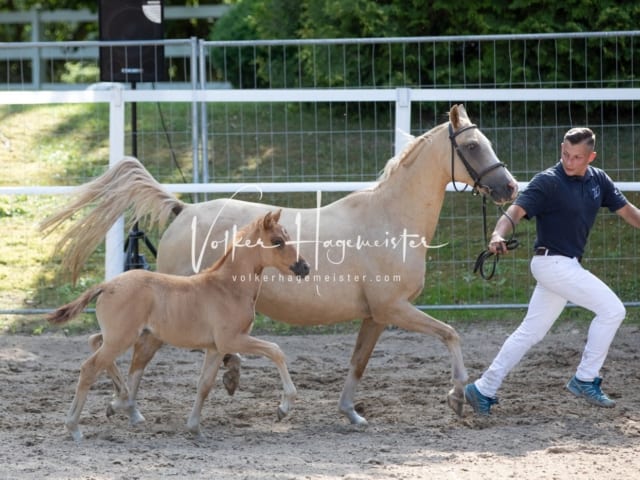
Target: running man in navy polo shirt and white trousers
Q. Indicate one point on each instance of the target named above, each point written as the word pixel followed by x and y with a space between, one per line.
pixel 564 200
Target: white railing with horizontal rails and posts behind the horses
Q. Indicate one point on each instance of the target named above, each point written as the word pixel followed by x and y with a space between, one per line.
pixel 117 97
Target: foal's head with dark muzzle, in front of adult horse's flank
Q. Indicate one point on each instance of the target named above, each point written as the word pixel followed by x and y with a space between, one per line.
pixel 278 251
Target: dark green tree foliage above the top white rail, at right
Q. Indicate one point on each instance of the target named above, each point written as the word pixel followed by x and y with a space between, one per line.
pixel 571 64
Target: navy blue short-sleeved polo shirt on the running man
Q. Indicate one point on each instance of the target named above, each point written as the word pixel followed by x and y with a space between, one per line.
pixel 565 207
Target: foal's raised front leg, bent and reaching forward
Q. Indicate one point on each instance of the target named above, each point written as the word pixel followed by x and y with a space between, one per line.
pixel 246 344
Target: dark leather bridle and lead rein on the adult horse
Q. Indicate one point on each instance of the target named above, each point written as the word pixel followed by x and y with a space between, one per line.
pixel 512 242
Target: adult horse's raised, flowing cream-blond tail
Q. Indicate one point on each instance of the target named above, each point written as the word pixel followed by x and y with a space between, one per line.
pixel 127 185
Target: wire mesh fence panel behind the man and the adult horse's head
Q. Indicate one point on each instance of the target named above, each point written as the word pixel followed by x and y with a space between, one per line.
pixel 273 140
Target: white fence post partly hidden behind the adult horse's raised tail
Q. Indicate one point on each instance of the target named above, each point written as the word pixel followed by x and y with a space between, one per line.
pixel 114 242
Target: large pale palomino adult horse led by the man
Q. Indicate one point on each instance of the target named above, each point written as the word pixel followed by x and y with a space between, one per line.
pixel 368 248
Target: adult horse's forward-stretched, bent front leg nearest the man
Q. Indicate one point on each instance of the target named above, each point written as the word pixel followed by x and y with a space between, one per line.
pixel 408 317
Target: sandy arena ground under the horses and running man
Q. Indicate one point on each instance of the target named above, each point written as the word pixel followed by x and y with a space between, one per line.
pixel 539 431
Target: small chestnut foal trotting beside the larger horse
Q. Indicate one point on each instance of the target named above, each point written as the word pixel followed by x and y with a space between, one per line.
pixel 213 310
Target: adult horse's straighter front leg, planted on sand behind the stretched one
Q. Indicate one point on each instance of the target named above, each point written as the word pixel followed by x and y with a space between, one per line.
pixel 367 338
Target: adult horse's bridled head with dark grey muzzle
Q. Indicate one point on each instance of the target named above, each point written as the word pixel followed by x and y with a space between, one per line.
pixel 474 162
